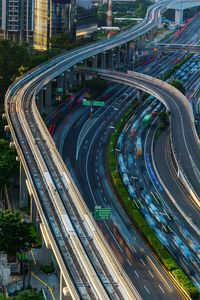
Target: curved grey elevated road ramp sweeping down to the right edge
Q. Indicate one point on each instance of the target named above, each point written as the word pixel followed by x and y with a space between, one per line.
pixel 184 138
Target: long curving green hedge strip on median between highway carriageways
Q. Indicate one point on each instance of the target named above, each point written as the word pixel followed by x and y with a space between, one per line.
pixel 137 218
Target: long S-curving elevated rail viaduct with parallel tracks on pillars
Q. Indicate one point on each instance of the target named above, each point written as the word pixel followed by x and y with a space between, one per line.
pixel 89 270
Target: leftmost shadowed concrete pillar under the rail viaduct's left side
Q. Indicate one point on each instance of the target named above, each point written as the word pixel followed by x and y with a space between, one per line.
pixel 23 191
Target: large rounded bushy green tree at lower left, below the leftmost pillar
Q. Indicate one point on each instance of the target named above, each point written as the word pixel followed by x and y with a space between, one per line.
pixel 15 235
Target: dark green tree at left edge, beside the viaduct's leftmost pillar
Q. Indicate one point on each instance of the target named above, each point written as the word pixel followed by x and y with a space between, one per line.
pixel 8 163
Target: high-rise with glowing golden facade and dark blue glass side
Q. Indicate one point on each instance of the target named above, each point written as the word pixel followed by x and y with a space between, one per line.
pixel 53 17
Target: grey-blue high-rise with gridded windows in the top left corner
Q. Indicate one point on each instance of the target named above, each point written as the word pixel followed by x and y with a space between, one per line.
pixel 16 20
